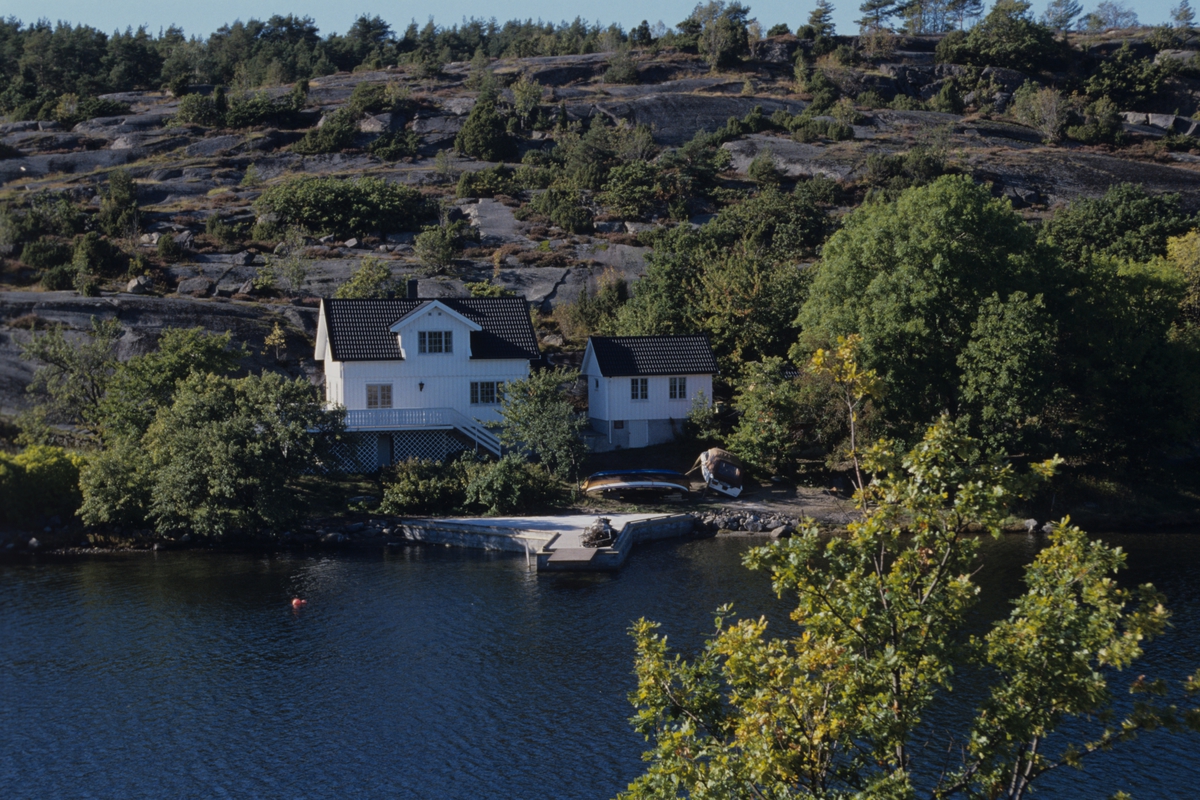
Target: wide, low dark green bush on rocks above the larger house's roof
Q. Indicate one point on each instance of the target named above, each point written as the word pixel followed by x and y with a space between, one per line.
pixel 333 206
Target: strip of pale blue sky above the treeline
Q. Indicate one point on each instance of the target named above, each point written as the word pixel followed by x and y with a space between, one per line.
pixel 337 17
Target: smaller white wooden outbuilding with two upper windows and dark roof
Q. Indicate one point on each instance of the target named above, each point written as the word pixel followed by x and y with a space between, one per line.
pixel 641 388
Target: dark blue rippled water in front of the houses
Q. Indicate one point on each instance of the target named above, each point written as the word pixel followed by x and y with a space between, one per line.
pixel 419 673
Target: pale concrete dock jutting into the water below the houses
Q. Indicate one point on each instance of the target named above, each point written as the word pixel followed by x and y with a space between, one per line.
pixel 557 543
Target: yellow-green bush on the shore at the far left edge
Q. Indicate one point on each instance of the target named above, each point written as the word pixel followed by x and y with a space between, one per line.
pixel 40 483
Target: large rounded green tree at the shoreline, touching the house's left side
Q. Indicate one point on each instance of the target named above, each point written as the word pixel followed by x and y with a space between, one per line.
pixel 227 454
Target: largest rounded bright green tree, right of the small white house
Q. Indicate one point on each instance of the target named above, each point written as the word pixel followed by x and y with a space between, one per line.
pixel 910 278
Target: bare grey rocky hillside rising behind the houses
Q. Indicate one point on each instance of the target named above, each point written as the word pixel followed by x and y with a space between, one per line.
pixel 195 182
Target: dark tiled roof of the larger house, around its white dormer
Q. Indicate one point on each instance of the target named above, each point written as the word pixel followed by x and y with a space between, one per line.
pixel 358 329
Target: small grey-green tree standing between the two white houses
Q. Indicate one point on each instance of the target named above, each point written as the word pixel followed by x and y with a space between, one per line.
pixel 538 418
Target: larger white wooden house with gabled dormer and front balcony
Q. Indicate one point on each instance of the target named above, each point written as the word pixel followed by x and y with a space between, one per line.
pixel 421 377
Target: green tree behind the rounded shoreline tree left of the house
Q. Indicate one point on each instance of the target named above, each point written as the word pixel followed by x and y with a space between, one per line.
pixel 146 384
